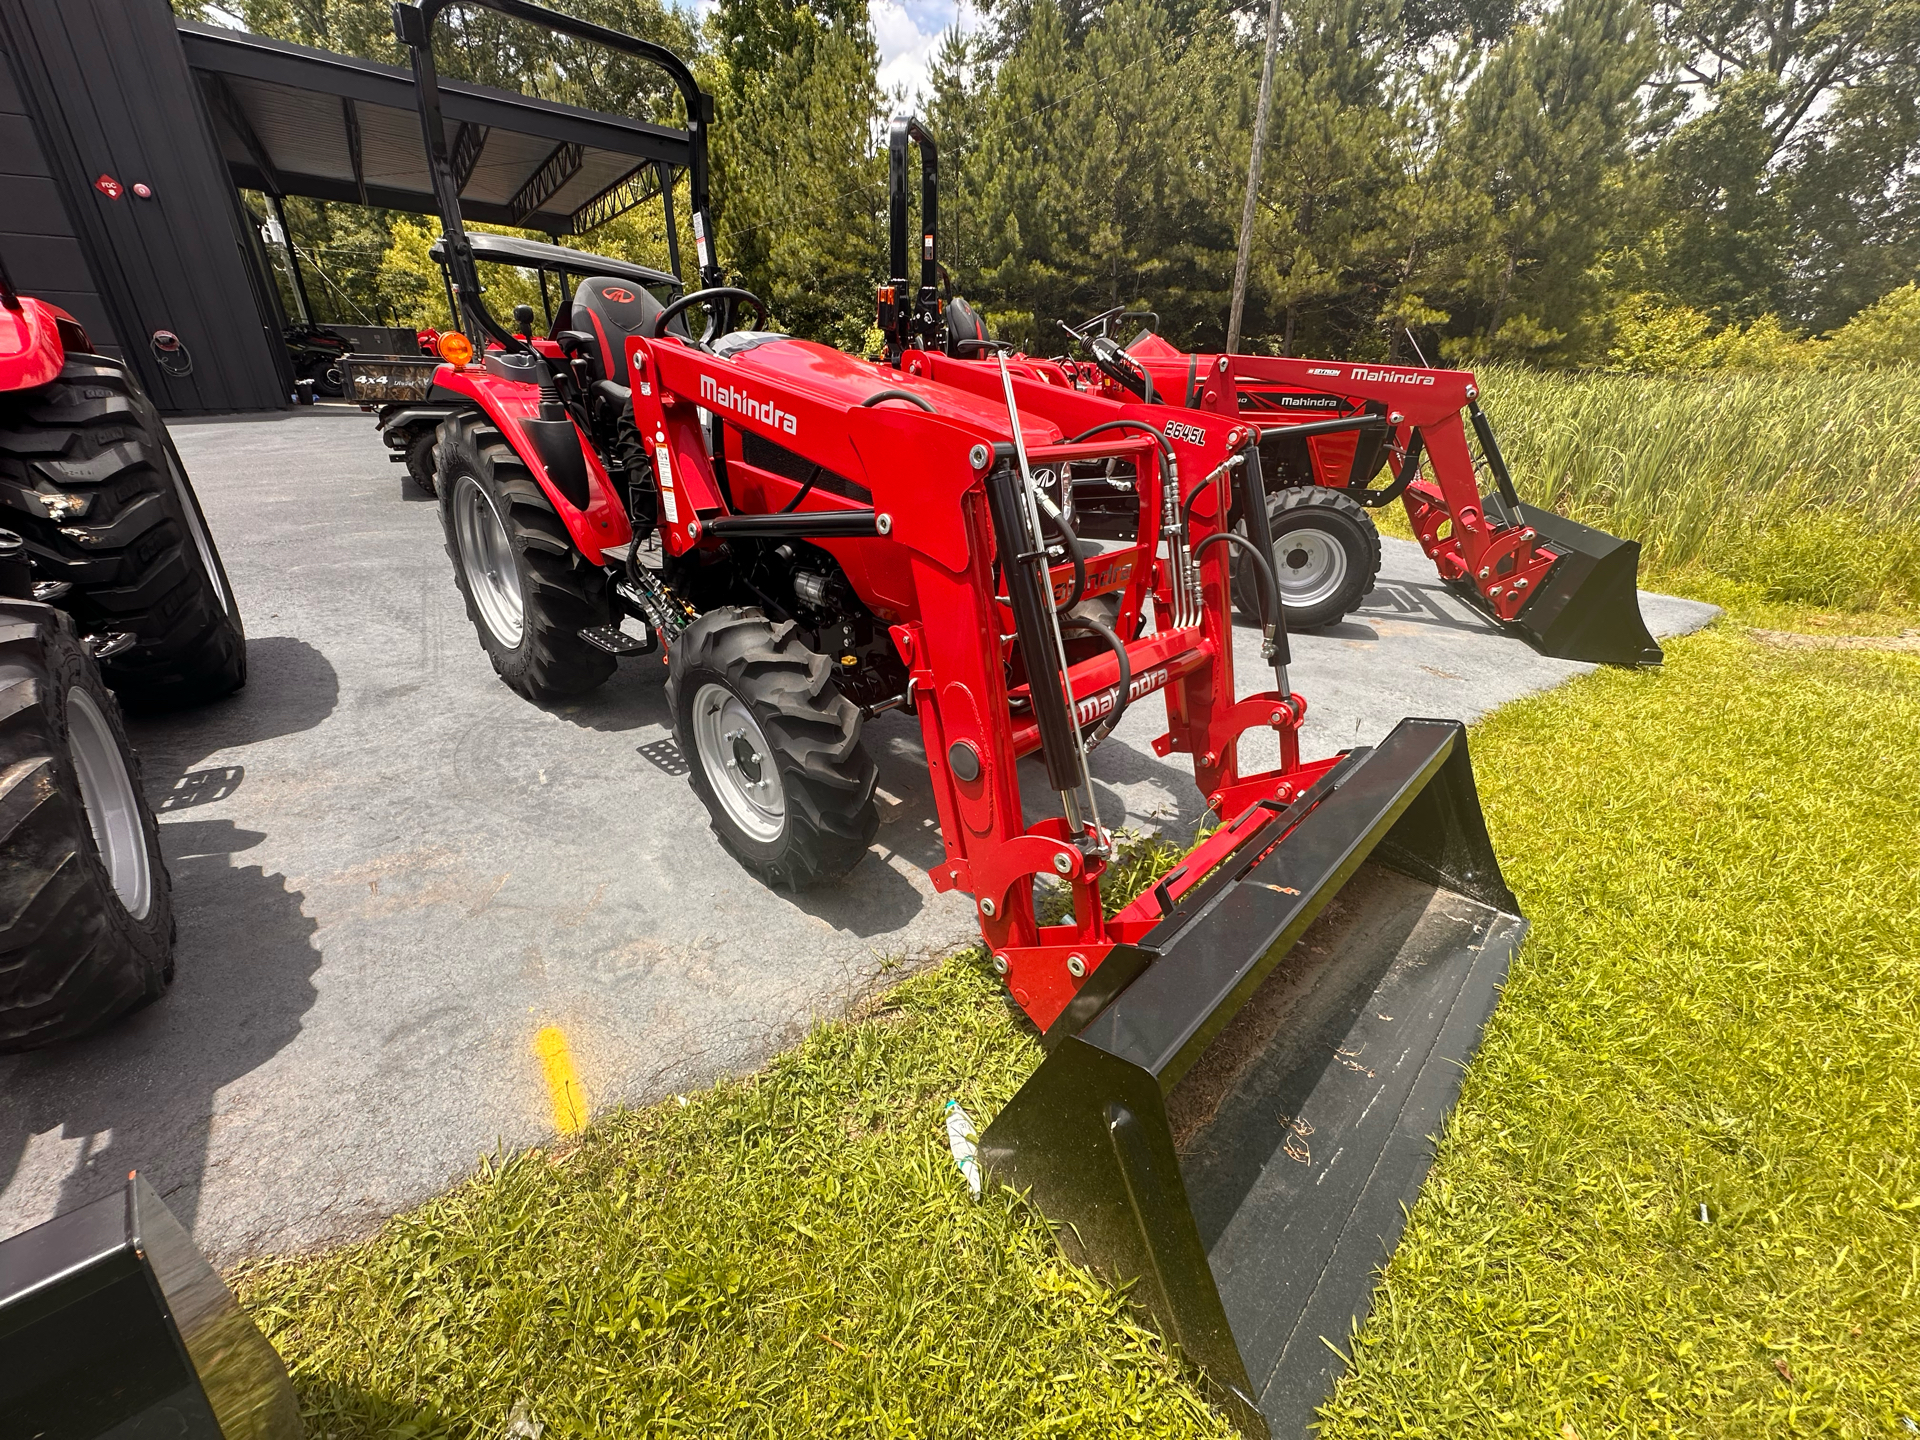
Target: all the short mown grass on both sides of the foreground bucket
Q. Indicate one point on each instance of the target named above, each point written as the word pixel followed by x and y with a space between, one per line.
pixel 1719 1005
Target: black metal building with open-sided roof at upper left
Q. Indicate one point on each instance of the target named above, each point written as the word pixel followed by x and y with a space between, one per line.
pixel 126 139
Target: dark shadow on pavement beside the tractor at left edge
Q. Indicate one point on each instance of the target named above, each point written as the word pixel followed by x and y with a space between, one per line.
pixel 143 1093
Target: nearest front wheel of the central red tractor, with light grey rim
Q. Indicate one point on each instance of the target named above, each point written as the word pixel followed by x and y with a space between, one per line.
pixel 813 746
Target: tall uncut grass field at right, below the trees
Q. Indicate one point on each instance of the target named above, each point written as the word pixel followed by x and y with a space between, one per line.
pixel 1804 487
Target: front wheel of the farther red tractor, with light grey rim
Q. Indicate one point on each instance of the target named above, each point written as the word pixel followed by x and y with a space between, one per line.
pixel 1326 556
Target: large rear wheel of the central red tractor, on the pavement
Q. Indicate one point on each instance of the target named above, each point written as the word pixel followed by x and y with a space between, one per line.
pixel 560 594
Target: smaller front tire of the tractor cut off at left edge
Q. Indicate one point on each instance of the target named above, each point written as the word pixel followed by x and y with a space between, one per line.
pixel 74 953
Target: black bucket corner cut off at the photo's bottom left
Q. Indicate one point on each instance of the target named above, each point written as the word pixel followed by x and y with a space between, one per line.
pixel 112 1324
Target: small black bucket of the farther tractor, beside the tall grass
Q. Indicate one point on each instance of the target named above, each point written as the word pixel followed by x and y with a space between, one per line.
pixel 1589 604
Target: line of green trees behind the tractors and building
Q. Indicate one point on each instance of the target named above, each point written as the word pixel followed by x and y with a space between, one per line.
pixel 1558 183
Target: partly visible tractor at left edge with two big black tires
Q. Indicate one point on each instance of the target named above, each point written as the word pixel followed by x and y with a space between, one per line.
pixel 110 594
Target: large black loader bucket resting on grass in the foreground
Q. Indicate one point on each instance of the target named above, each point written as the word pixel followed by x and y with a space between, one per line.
pixel 1236 1130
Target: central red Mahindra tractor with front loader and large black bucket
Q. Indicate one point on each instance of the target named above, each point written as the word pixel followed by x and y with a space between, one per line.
pixel 1007 564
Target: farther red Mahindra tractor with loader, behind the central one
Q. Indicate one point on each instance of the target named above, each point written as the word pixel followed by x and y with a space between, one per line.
pixel 1328 431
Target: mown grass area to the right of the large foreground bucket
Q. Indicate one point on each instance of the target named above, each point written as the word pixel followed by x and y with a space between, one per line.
pixel 1719 1007
